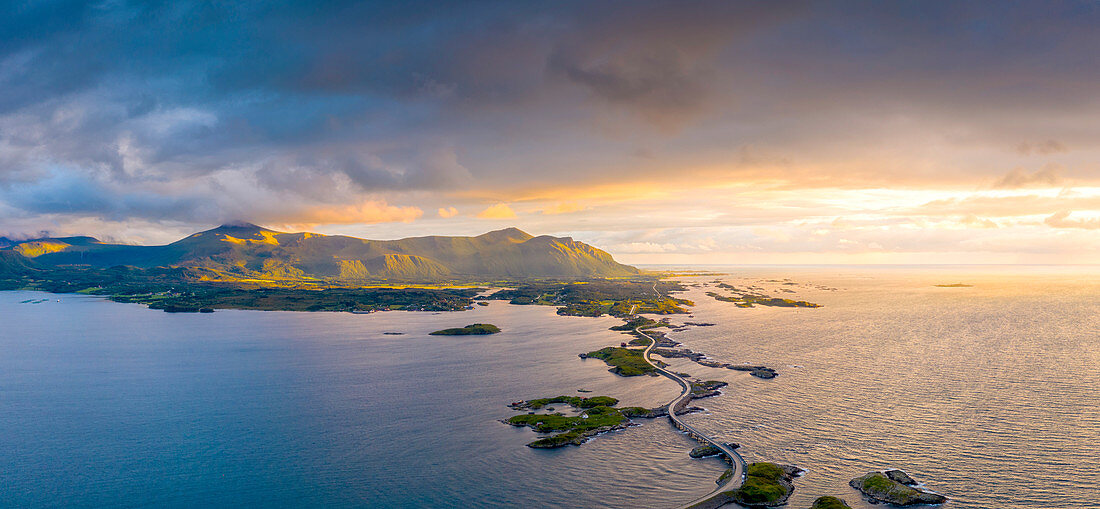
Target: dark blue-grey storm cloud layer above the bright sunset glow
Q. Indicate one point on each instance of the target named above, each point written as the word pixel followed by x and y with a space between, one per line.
pixel 146 99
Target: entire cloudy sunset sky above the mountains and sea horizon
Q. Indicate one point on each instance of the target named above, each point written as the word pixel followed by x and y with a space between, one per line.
pixel 711 132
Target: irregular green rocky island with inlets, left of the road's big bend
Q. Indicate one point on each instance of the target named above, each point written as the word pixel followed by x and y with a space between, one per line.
pixel 597 415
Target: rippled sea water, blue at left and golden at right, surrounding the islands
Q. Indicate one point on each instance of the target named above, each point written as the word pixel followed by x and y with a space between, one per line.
pixel 987 394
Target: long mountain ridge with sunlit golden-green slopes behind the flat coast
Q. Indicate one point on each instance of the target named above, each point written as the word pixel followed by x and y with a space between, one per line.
pixel 255 251
